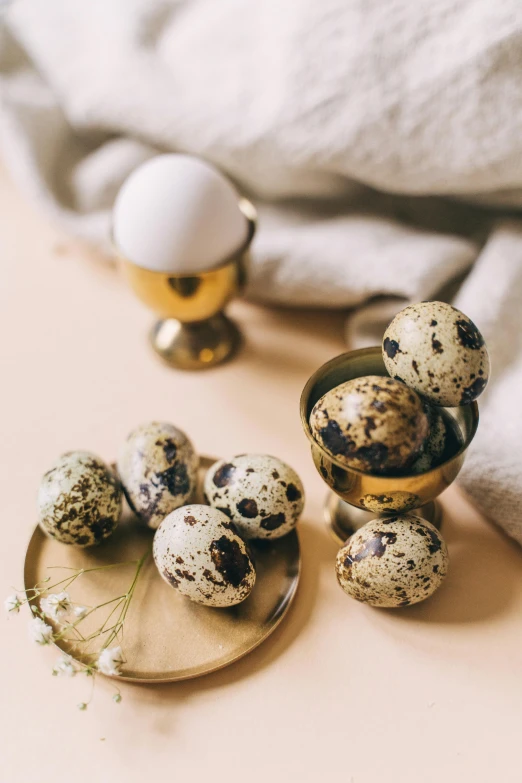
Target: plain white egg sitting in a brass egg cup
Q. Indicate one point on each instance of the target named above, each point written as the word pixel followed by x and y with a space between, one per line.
pixel 178 214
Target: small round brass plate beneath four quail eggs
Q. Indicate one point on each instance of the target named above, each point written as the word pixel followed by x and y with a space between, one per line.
pixel 167 637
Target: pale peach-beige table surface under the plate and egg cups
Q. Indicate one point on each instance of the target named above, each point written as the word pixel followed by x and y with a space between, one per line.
pixel 340 691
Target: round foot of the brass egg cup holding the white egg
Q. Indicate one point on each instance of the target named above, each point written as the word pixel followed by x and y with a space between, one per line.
pixel 198 345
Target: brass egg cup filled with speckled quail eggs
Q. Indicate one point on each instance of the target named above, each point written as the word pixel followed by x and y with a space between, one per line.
pixel 357 497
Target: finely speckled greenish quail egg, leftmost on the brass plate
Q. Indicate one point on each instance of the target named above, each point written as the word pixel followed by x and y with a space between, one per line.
pixel 79 500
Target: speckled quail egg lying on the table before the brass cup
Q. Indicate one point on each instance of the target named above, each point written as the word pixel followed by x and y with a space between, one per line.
pixel 393 561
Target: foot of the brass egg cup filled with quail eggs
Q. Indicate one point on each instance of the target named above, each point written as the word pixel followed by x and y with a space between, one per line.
pixel 343 519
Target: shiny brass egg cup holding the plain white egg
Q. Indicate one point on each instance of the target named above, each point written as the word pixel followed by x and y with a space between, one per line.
pixel 193 332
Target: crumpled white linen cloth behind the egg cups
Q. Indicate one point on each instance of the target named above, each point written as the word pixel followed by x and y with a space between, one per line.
pixel 380 140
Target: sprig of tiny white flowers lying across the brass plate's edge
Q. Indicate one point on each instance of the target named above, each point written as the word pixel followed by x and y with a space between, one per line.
pixel 57 619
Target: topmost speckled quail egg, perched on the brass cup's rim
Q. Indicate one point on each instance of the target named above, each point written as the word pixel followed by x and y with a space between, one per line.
pixel 438 351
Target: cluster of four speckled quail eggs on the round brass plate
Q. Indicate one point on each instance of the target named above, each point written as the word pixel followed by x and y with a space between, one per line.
pixel 200 550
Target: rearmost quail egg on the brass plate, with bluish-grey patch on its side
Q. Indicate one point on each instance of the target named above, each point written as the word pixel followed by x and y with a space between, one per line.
pixel 158 469
